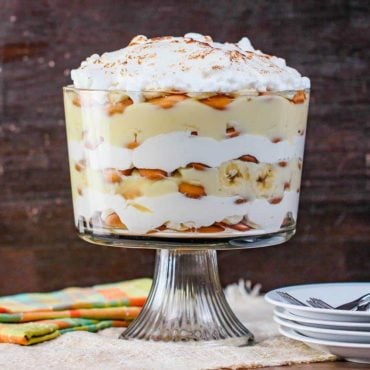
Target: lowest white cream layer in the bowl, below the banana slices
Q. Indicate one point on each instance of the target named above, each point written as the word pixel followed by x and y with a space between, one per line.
pixel 147 213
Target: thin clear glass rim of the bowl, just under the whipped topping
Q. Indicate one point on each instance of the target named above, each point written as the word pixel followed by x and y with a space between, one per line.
pixel 246 92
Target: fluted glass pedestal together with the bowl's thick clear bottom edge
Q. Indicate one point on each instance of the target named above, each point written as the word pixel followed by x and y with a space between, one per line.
pixel 186 302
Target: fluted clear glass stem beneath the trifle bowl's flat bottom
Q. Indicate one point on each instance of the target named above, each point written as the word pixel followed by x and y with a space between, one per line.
pixel 186 301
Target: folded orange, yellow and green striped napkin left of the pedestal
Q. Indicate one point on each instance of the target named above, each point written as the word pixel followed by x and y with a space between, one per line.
pixel 31 318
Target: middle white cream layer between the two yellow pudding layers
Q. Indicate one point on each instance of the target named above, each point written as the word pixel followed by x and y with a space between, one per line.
pixel 174 150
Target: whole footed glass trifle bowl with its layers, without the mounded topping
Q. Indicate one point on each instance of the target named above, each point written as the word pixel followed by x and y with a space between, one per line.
pixel 187 173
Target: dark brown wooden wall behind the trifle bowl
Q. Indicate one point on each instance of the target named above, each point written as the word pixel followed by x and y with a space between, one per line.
pixel 40 41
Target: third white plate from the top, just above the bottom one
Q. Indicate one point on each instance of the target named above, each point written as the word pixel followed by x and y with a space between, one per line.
pixel 326 334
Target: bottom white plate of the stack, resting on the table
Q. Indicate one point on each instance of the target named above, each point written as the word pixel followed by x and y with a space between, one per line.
pixel 350 351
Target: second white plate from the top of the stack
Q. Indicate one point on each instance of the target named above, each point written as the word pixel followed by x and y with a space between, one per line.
pixel 326 324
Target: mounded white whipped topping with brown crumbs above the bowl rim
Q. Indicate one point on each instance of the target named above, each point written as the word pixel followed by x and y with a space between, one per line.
pixel 193 63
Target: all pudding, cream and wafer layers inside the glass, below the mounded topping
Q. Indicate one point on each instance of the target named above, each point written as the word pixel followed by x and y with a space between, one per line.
pixel 184 165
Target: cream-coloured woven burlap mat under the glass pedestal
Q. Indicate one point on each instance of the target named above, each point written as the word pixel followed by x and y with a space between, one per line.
pixel 83 350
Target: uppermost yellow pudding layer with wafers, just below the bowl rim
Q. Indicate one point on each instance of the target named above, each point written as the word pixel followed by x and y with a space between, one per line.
pixel 124 124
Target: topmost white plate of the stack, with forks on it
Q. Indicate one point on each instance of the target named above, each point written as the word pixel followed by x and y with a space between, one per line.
pixel 334 294
